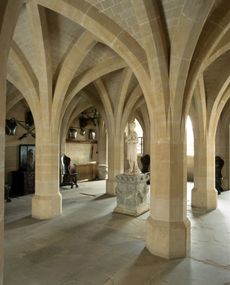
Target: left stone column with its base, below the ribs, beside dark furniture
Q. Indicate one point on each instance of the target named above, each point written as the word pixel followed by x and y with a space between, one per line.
pixel 47 202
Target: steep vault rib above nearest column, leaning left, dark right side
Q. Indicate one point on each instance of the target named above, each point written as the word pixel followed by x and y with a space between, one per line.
pixel 155 41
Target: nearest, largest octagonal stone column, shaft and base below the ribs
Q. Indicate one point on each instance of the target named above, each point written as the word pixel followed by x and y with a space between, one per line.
pixel 168 229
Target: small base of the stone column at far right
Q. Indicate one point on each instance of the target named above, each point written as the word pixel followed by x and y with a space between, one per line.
pixel 206 200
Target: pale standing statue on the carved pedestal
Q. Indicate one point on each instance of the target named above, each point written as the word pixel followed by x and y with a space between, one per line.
pixel 132 141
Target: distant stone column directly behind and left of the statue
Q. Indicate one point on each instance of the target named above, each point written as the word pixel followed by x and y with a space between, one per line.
pixel 115 161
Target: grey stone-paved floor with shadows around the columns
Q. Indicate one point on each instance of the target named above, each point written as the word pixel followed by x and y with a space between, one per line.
pixel 91 245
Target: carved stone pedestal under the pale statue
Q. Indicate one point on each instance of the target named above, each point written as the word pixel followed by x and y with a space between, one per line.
pixel 131 193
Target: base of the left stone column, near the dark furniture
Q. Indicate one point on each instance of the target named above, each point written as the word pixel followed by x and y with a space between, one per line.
pixel 46 207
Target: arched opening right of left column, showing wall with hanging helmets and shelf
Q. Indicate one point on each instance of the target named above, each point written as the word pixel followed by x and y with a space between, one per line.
pixel 80 143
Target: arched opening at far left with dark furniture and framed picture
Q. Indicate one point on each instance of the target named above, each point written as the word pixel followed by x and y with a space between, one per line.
pixel 19 150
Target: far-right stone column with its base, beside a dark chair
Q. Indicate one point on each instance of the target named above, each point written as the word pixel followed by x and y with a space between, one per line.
pixel 204 194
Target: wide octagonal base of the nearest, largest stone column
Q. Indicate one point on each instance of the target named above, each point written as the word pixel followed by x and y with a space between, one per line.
pixel 168 239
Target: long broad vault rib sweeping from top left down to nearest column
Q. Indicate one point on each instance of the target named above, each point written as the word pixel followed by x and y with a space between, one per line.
pixel 107 32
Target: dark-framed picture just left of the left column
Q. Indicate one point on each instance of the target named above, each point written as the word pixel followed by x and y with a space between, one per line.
pixel 27 157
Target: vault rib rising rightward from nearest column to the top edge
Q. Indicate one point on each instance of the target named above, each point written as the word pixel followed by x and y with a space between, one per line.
pixel 189 29
